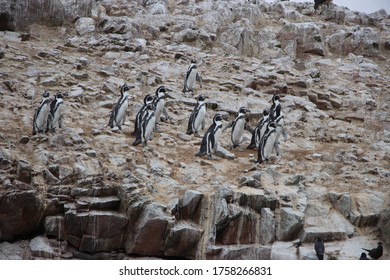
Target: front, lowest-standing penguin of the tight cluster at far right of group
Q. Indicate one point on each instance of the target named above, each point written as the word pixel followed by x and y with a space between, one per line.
pixel 268 141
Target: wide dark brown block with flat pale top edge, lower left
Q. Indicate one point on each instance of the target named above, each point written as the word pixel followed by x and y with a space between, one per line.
pixel 88 230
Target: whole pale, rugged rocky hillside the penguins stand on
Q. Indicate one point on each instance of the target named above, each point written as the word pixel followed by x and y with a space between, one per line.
pixel 86 192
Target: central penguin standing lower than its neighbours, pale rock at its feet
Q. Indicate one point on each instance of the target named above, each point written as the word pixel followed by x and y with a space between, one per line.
pixel 210 139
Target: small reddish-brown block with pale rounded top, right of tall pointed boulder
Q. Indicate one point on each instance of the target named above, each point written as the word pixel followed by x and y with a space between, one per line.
pixel 182 239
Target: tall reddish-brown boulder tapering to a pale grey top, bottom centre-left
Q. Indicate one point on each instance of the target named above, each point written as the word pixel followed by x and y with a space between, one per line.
pixel 148 233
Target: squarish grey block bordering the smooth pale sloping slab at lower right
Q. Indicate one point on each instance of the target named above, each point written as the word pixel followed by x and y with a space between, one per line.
pixel 290 224
